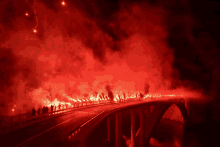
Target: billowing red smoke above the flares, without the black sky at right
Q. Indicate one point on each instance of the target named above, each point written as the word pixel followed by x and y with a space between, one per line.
pixel 75 53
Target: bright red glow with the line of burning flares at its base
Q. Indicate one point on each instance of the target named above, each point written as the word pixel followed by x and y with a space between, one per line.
pixel 75 74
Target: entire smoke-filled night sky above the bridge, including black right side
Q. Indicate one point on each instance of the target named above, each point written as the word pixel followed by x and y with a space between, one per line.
pixel 83 46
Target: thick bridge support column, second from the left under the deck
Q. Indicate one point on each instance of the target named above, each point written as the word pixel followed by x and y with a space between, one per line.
pixel 118 129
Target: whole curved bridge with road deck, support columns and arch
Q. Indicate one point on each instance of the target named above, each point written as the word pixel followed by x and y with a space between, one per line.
pixel 75 127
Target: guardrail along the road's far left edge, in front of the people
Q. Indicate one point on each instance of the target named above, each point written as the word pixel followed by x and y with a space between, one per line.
pixel 20 120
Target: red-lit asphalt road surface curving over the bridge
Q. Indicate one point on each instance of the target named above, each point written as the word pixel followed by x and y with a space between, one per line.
pixel 51 132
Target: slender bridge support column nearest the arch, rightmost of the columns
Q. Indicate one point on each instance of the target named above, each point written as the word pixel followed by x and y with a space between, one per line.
pixel 142 129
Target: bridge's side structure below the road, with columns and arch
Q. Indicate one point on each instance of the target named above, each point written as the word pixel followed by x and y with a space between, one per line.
pixel 149 114
